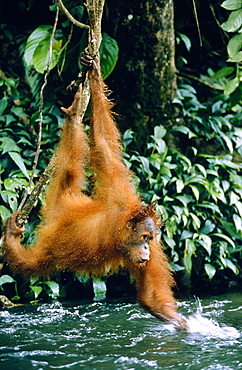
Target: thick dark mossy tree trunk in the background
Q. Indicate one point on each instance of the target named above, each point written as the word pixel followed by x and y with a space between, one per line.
pixel 144 80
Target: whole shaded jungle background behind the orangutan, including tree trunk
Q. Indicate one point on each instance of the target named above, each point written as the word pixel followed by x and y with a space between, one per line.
pixel 176 84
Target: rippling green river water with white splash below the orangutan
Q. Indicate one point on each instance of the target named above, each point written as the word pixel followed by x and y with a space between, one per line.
pixel 102 335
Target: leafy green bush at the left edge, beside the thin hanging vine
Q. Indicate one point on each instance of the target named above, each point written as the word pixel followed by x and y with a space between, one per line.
pixel 18 136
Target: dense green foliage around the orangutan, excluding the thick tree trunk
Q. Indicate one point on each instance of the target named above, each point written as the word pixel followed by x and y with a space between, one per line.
pixel 192 171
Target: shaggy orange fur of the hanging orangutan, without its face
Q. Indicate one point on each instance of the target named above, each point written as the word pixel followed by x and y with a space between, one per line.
pixel 95 234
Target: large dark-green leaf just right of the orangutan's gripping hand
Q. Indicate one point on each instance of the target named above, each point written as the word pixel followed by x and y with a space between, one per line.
pixel 108 55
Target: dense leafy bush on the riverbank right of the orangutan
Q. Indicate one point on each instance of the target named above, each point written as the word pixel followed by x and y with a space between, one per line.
pixel 199 194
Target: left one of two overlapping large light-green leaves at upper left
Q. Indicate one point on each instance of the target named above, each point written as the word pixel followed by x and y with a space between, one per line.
pixel 38 35
